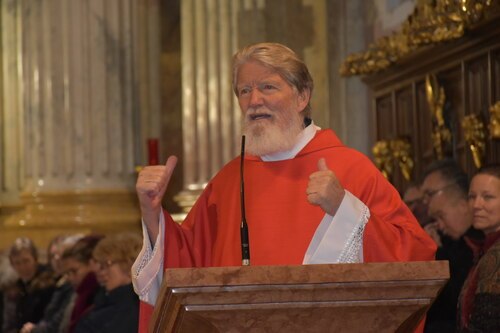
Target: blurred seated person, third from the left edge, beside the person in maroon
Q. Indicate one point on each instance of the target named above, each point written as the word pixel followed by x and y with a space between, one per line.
pixel 63 292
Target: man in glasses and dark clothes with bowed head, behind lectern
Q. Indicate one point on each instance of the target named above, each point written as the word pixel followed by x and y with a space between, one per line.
pixel 445 188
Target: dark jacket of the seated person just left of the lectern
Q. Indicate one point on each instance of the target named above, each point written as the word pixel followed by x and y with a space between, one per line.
pixel 117 312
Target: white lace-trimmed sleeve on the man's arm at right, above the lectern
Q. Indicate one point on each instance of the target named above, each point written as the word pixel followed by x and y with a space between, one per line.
pixel 339 238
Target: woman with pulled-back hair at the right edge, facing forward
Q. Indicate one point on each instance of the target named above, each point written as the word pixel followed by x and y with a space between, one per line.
pixel 479 303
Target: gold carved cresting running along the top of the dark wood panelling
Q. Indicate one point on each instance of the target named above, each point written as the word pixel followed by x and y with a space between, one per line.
pixel 431 22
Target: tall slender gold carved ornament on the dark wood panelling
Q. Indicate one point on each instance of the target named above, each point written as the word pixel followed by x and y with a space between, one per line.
pixel 436 98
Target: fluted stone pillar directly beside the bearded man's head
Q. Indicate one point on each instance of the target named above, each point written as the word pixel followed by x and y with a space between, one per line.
pixel 211 116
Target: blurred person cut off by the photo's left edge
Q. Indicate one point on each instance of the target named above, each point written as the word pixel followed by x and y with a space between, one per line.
pixel 8 295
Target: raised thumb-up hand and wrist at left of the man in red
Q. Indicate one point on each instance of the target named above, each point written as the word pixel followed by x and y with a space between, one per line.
pixel 151 185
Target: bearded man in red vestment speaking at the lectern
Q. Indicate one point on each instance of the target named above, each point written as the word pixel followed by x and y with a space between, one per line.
pixel 309 198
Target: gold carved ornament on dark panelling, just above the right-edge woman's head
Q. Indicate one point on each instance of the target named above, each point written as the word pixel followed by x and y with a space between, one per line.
pixel 475 137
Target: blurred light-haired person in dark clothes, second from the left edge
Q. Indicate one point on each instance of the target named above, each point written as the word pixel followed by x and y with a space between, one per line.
pixel 36 282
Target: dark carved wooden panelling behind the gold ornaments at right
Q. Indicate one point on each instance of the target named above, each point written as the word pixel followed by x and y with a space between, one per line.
pixel 468 69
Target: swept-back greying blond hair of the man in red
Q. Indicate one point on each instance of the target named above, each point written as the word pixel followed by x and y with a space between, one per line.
pixel 281 59
